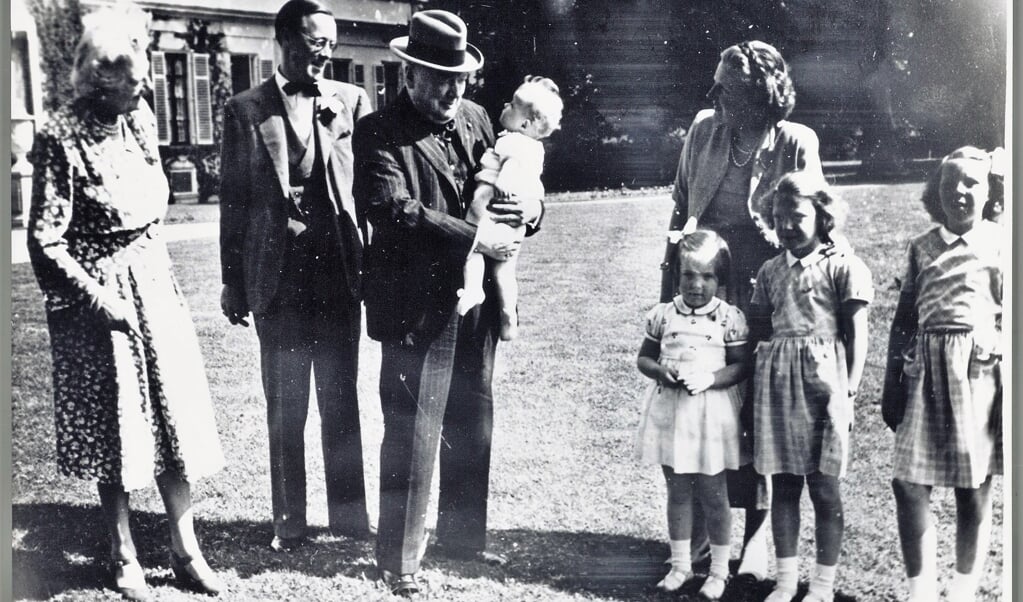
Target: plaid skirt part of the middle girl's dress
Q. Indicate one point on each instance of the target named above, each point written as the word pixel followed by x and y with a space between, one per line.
pixel 803 413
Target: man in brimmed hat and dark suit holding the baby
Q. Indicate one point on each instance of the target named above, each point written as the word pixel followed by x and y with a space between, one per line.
pixel 415 163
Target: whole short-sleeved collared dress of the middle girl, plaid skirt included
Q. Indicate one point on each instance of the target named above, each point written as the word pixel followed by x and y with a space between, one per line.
pixel 803 413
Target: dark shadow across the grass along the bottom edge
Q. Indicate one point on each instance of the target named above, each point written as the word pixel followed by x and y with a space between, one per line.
pixel 61 548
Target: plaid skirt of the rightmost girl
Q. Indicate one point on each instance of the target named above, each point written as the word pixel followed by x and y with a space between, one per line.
pixel 951 436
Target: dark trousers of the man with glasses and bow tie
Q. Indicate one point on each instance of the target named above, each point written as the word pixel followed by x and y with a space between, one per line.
pixel 308 328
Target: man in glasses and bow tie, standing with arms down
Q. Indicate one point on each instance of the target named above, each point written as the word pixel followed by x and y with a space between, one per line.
pixel 291 255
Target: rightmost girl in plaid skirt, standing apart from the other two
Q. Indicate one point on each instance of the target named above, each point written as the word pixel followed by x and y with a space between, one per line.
pixel 943 389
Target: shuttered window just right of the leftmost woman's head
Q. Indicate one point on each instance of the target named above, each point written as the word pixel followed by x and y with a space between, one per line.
pixel 182 98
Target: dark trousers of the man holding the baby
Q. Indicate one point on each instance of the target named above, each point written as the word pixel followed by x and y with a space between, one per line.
pixel 436 394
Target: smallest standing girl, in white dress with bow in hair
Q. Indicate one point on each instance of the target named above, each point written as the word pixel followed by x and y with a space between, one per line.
pixel 696 353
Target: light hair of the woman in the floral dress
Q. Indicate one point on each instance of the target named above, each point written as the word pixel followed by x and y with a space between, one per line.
pixel 112 50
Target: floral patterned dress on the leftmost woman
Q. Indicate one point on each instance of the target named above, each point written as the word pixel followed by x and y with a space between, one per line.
pixel 127 406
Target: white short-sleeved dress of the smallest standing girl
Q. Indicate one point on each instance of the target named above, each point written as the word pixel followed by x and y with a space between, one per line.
pixel 693 435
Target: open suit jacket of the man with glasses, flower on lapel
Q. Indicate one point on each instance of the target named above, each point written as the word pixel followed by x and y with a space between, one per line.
pixel 254 193
